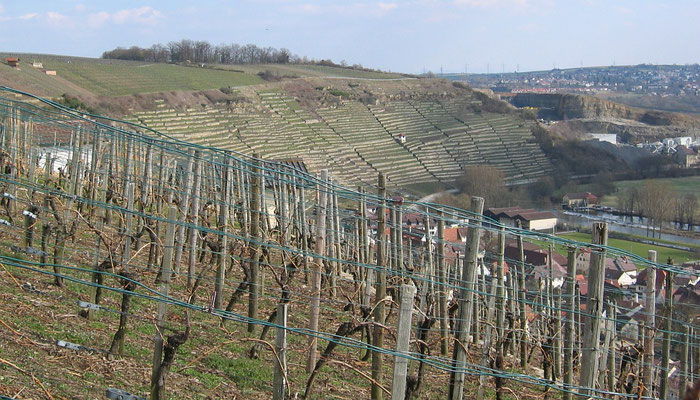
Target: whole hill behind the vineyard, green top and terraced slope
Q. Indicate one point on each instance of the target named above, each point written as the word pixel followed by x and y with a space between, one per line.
pixel 351 122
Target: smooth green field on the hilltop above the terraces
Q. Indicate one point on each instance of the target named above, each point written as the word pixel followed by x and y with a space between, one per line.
pixel 119 78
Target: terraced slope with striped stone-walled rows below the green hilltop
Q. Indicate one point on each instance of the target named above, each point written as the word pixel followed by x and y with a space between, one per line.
pixel 342 131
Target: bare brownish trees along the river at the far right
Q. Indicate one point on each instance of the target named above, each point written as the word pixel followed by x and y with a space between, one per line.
pixel 659 203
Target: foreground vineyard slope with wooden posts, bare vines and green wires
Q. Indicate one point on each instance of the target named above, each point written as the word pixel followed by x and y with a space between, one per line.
pixel 139 265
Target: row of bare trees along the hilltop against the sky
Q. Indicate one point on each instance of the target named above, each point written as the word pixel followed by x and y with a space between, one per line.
pixel 201 51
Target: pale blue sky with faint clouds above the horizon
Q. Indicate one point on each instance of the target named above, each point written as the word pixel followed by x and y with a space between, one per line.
pixel 407 36
